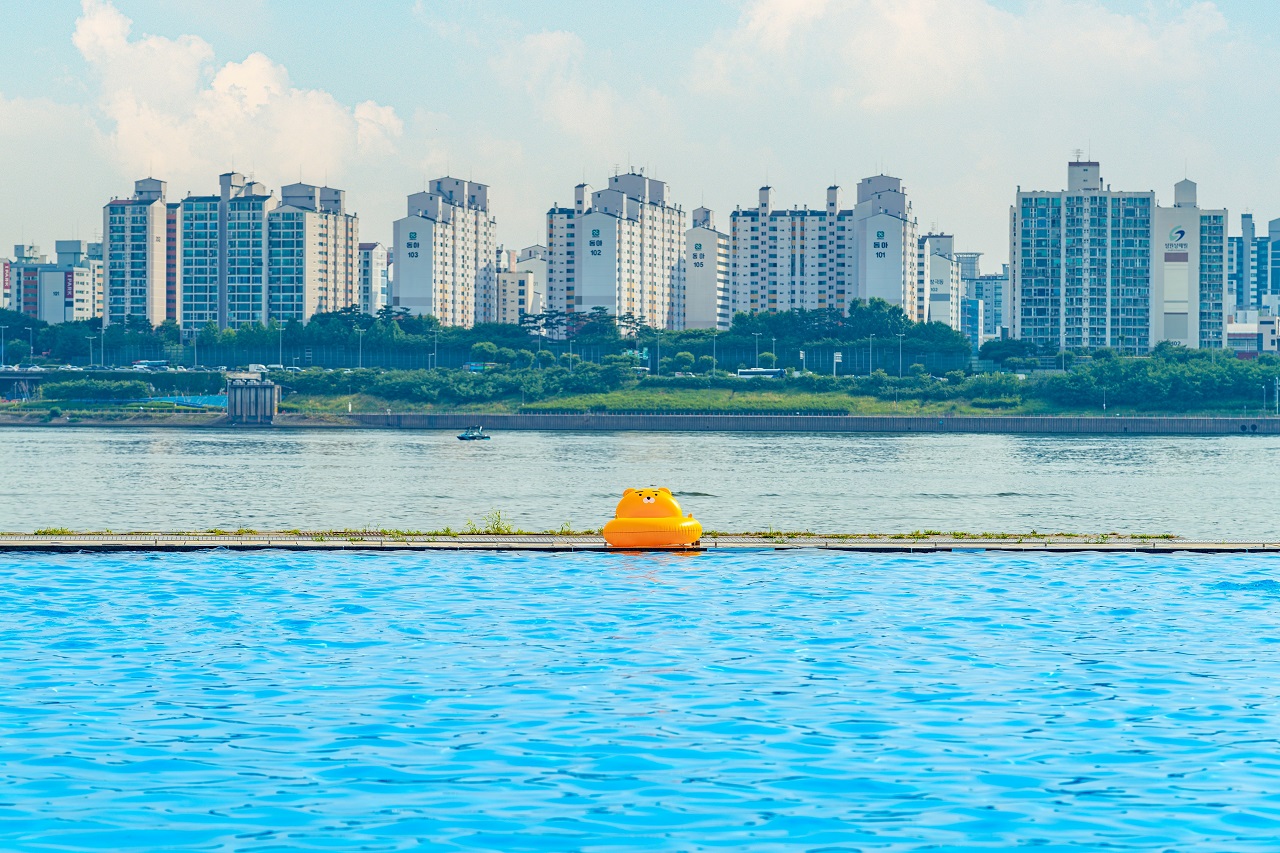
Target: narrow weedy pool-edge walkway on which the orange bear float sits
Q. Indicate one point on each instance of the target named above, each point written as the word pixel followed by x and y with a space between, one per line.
pixel 383 541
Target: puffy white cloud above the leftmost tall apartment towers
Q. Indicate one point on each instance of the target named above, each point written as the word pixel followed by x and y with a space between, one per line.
pixel 172 112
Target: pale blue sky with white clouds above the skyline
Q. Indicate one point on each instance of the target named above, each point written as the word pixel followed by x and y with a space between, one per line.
pixel 963 99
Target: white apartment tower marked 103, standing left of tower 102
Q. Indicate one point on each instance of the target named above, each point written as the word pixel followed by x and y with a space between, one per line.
pixel 445 254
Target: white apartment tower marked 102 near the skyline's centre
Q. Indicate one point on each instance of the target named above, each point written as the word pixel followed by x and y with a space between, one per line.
pixel 620 249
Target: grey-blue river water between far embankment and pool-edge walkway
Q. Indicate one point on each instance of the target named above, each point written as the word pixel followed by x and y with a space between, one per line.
pixel 171 480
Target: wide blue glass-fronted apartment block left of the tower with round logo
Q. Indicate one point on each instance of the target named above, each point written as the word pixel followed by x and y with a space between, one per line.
pixel 1081 264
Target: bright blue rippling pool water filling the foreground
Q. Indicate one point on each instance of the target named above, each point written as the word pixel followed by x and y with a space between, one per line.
pixel 765 701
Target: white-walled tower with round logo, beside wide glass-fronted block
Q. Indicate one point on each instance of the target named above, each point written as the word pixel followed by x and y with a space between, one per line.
pixel 1188 272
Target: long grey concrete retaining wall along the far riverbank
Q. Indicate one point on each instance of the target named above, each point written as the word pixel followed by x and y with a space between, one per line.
pixel 838 425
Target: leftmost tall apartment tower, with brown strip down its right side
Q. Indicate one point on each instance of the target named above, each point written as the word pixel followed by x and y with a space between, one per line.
pixel 140 253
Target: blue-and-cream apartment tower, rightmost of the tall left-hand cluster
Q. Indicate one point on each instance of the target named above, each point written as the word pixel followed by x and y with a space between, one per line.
pixel 313 264
